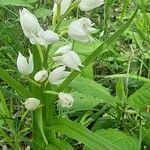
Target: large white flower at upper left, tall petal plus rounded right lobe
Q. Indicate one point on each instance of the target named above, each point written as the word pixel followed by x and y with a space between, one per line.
pixel 34 32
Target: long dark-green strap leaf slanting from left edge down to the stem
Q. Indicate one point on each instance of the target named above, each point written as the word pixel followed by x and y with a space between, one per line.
pixel 21 90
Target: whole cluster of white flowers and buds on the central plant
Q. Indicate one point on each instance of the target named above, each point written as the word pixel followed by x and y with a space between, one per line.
pixel 65 56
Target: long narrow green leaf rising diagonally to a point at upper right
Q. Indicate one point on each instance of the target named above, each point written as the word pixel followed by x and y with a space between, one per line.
pixel 105 45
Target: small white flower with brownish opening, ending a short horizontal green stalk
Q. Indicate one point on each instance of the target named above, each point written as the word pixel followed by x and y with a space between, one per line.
pixel 65 100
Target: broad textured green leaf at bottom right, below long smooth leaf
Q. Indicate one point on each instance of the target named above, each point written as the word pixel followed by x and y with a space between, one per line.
pixel 119 139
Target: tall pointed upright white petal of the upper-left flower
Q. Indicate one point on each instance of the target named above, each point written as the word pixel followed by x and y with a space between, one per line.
pixel 29 23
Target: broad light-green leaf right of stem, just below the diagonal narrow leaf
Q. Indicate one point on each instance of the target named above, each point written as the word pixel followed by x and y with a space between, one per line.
pixel 91 88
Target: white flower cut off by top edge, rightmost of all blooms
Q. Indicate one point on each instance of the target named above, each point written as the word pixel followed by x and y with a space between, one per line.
pixel 86 5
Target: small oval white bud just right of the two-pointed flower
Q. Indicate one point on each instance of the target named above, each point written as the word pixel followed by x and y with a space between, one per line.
pixel 41 76
